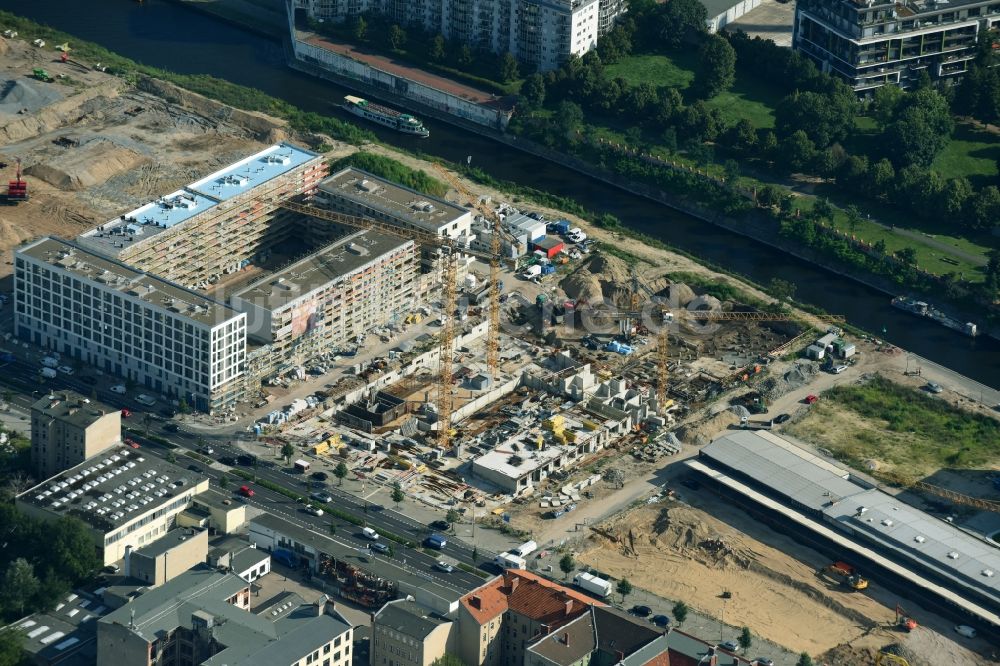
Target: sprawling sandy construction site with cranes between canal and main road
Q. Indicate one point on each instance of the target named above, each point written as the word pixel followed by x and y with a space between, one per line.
pixel 546 402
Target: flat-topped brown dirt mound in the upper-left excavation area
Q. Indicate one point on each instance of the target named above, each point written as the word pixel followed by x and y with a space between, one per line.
pixel 87 166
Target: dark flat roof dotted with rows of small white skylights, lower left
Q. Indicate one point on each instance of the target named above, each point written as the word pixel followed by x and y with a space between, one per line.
pixel 113 488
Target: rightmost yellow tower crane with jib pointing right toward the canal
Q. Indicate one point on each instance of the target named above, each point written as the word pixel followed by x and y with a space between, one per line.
pixel 668 315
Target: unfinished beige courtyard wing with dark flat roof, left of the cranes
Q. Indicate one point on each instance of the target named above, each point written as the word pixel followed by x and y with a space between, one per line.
pixel 331 296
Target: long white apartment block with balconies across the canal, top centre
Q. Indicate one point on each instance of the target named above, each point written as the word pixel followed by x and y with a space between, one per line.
pixel 542 34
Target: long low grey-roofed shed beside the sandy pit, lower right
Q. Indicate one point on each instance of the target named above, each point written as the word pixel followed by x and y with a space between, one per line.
pixel 939 559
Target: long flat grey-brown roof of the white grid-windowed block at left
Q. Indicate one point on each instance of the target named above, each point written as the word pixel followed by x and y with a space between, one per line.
pixel 115 276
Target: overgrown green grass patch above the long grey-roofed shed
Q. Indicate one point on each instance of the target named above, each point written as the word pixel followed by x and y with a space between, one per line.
pixel 905 431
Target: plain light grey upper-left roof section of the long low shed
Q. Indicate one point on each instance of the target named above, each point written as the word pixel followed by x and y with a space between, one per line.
pixel 783 467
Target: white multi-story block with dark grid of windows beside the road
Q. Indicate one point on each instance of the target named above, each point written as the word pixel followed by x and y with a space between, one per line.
pixel 129 323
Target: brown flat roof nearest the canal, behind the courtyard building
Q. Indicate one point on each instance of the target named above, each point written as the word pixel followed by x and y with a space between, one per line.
pixel 400 202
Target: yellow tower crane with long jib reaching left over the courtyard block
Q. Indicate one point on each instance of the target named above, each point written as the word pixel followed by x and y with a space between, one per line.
pixel 449 295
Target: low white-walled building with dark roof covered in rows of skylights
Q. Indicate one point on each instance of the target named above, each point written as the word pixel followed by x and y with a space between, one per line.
pixel 126 499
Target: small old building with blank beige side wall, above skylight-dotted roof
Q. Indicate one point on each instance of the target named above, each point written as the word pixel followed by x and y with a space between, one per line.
pixel 67 429
